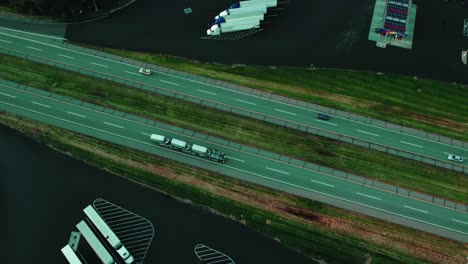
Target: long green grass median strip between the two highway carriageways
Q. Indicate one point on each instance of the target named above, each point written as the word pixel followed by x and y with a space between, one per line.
pixel 392 169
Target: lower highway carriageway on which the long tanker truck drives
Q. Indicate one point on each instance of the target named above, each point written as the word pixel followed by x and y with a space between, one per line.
pixel 245 165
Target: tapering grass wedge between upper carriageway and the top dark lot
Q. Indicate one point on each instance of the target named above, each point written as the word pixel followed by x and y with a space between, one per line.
pixel 423 104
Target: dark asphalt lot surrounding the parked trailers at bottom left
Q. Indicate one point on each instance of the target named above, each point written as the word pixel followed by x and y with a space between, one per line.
pixel 42 194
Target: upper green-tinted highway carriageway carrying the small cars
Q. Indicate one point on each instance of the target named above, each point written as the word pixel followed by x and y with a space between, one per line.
pixel 46 48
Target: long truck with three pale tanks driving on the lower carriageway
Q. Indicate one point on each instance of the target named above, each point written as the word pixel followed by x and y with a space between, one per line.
pixel 201 151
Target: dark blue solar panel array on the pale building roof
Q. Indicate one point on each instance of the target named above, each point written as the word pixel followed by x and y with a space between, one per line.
pixel 396 15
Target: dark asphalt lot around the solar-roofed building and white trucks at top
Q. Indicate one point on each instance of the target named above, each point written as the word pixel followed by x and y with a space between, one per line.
pixel 326 33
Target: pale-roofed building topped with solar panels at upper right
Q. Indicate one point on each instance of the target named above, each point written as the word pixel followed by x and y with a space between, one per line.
pixel 393 23
